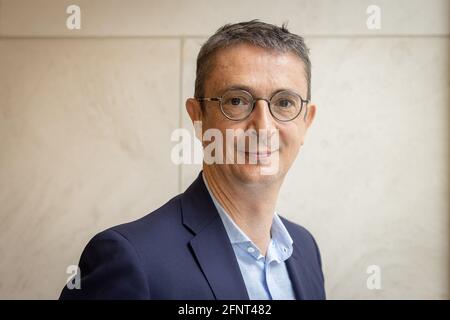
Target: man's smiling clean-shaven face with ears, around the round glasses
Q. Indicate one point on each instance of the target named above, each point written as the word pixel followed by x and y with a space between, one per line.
pixel 262 73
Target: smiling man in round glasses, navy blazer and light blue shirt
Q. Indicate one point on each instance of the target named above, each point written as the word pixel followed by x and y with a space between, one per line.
pixel 221 238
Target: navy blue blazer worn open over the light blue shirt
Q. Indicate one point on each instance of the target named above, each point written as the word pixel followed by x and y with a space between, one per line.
pixel 182 251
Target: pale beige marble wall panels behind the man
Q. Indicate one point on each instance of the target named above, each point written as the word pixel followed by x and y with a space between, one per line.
pixel 86 118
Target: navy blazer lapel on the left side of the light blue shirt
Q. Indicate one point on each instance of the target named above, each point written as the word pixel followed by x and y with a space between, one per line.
pixel 211 245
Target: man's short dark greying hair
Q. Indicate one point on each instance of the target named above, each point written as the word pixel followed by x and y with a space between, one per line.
pixel 252 32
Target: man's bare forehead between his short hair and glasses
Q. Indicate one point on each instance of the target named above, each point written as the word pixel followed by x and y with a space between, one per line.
pixel 263 70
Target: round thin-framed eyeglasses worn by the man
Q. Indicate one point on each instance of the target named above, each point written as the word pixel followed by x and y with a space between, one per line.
pixel 237 104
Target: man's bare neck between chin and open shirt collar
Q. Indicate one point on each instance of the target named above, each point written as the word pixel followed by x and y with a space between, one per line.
pixel 251 206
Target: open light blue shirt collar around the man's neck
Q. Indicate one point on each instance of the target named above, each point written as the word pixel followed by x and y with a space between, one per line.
pixel 280 247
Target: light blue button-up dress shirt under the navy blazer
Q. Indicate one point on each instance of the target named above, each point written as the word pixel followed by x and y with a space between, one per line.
pixel 265 277
